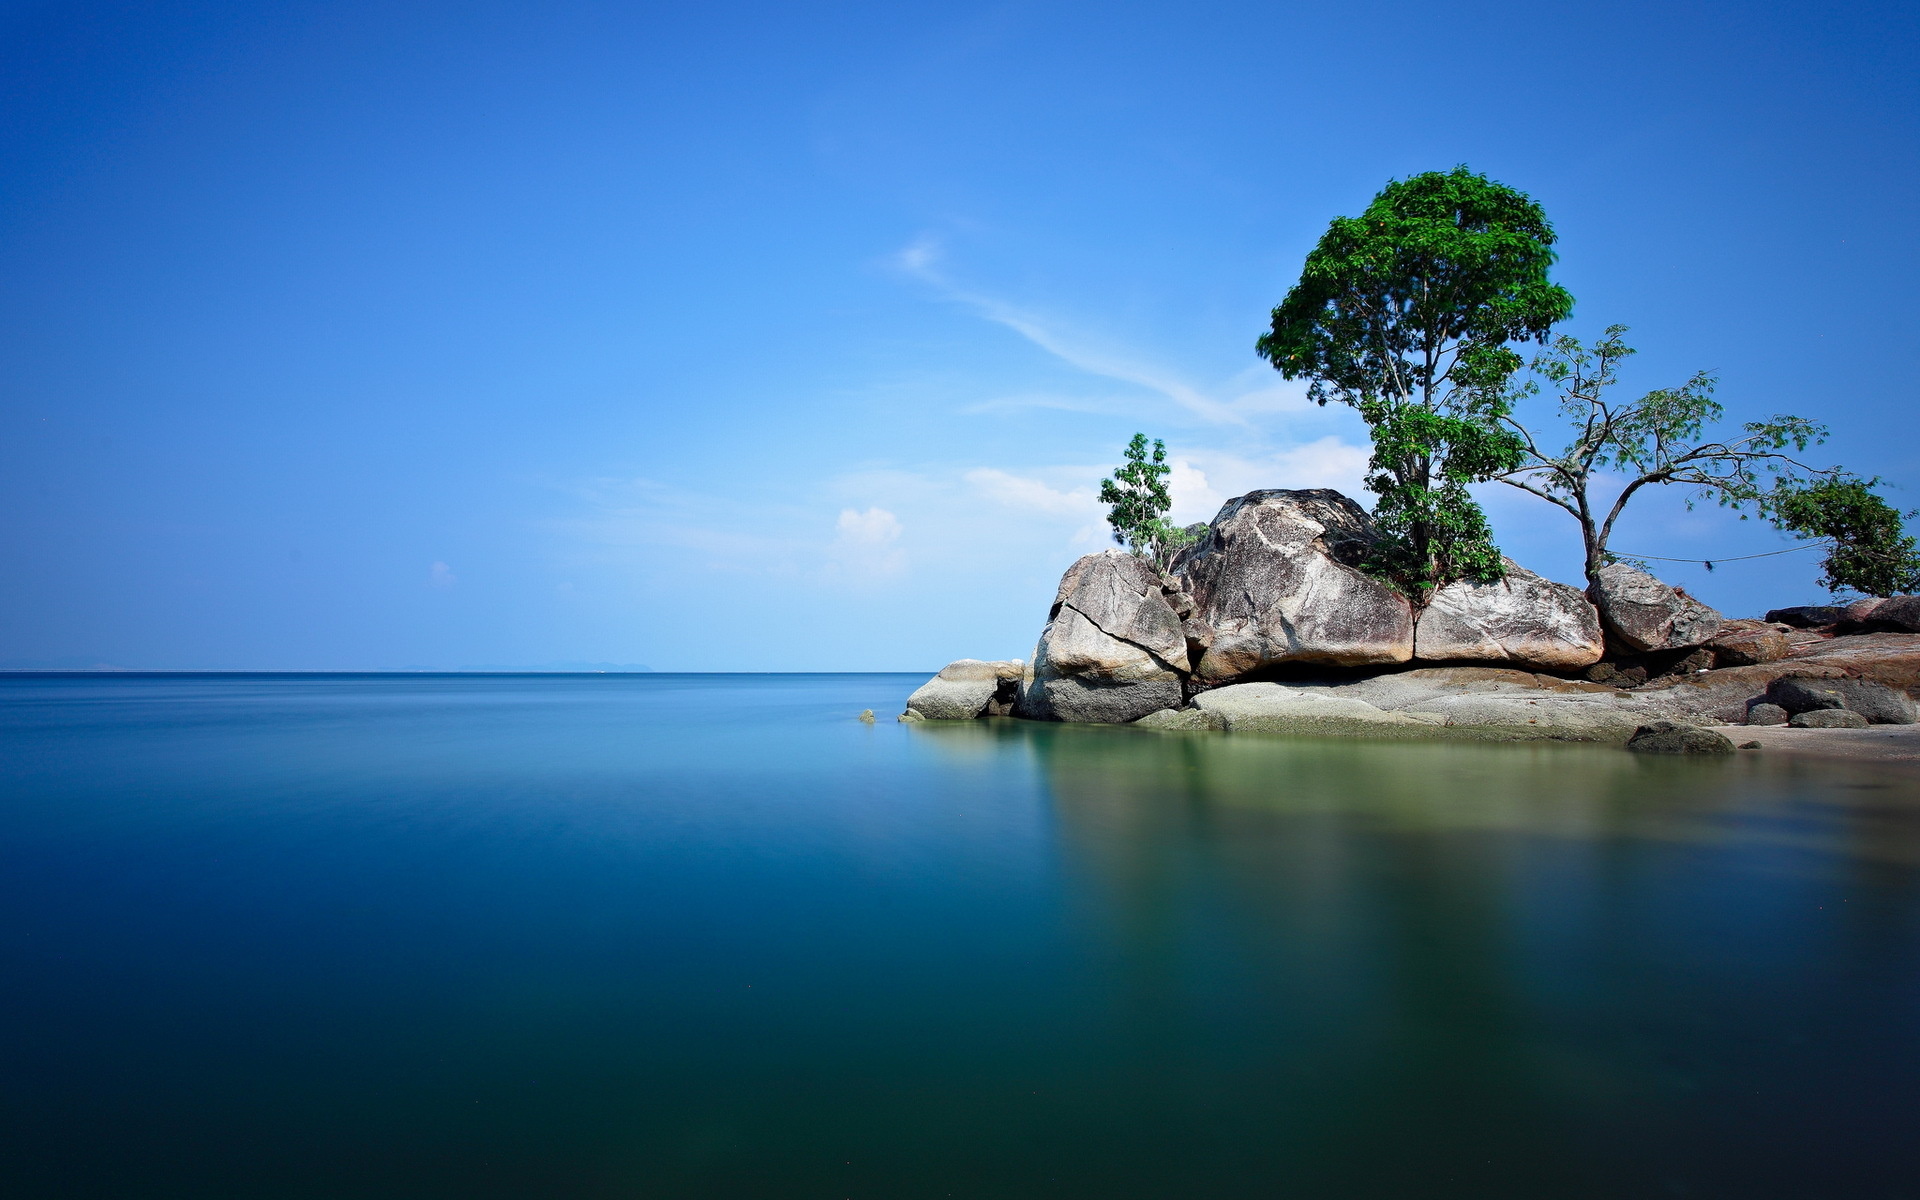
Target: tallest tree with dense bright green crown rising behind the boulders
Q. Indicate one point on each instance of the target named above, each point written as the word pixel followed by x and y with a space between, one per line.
pixel 1406 314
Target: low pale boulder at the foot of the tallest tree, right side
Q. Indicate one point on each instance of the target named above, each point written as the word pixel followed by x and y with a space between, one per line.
pixel 1524 621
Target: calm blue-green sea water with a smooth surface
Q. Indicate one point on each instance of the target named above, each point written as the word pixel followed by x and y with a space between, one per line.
pixel 709 936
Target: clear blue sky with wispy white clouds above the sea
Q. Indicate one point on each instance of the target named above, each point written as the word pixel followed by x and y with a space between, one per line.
pixel 798 337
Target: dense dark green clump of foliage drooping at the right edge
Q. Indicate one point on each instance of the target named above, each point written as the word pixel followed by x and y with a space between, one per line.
pixel 1871 554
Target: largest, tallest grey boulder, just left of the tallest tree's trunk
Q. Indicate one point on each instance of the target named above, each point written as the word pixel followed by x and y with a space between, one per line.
pixel 1278 581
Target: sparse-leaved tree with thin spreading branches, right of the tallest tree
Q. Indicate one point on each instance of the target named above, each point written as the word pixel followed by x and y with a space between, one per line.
pixel 1654 441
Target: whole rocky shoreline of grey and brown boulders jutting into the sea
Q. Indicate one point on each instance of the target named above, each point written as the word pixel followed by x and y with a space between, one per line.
pixel 1270 627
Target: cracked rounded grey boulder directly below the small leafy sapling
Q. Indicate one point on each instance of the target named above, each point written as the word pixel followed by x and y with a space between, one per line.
pixel 1115 648
